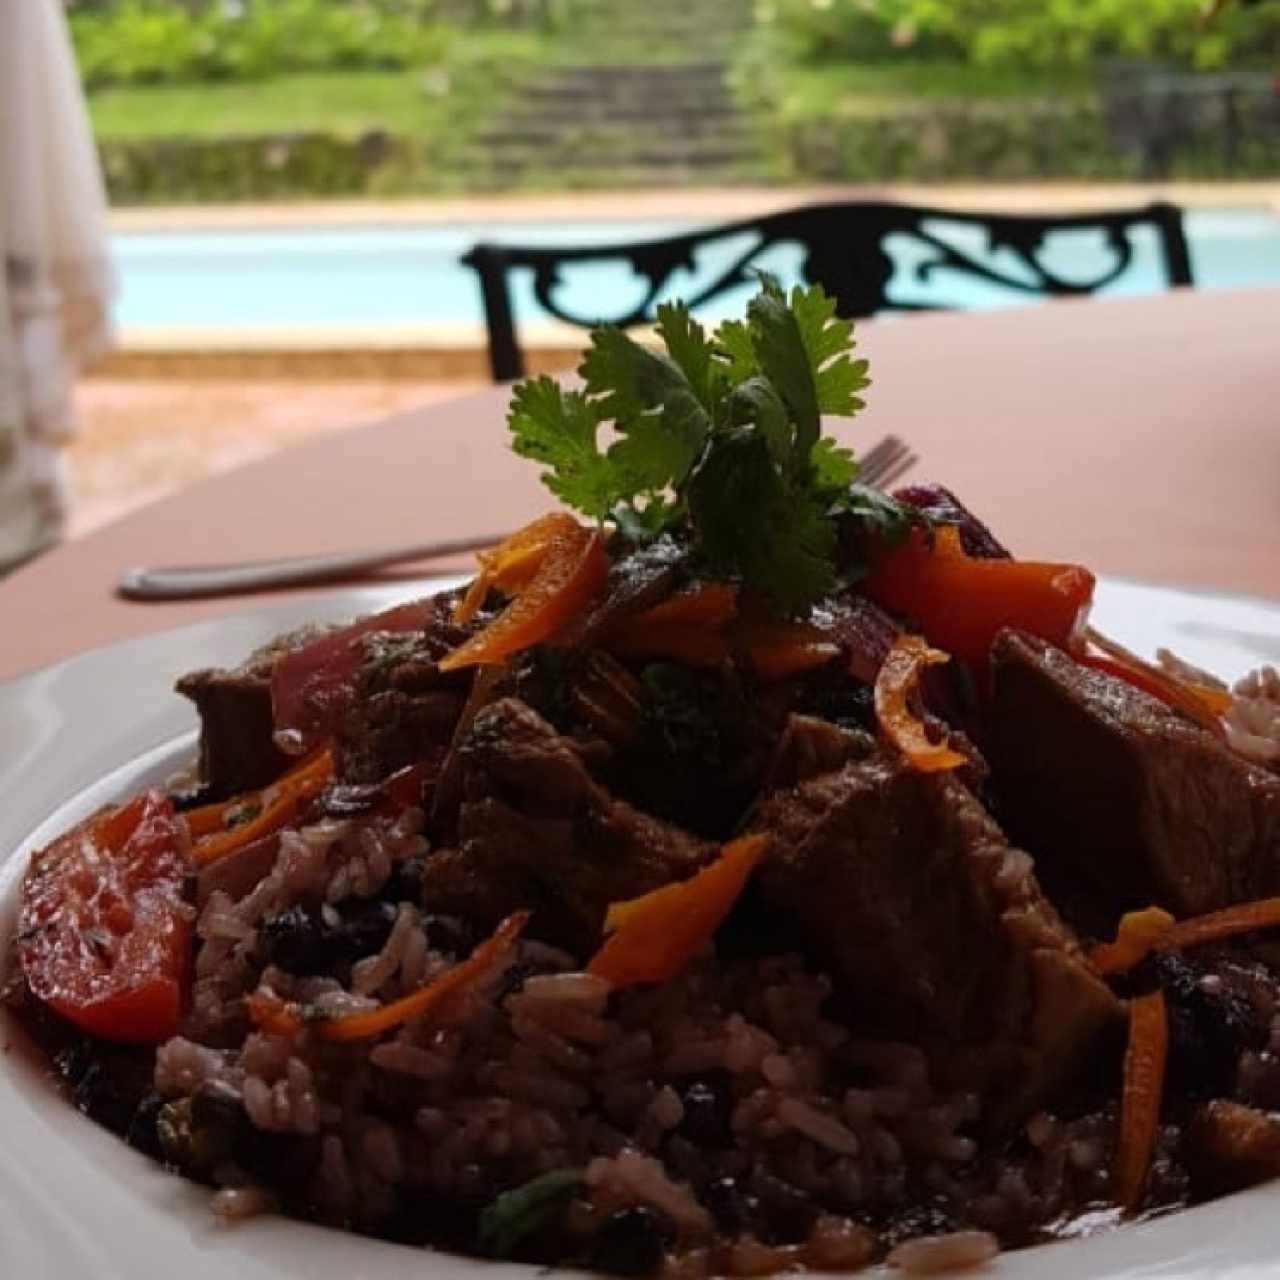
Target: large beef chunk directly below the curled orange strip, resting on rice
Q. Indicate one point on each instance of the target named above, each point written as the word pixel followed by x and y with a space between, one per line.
pixel 936 926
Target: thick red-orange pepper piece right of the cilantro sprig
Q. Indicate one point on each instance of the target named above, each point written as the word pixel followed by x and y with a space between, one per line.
pixel 961 604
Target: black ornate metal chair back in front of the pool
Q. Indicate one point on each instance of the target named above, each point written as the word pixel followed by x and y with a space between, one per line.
pixel 844 250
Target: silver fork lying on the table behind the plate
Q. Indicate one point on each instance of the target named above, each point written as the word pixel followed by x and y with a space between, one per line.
pixel 886 461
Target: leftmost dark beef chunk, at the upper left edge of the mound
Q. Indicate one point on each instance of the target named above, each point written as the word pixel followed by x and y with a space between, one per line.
pixel 237 752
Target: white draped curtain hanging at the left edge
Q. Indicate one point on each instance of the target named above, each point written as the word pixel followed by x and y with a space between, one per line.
pixel 56 275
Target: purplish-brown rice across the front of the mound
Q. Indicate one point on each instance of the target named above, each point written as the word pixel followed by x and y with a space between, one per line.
pixel 730 1075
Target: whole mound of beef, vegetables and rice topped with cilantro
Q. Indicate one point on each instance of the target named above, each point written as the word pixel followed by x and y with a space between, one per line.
pixel 766 872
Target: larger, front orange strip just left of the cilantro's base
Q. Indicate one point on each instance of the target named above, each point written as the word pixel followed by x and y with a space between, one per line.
pixel 570 575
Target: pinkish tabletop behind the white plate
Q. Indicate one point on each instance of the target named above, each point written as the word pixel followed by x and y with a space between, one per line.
pixel 1140 437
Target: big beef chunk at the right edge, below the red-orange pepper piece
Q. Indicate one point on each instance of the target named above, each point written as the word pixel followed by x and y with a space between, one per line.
pixel 1117 793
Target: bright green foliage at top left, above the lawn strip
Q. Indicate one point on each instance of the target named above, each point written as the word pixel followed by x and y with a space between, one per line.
pixel 158 42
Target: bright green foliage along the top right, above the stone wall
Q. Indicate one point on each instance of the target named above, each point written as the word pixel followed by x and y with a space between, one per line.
pixel 1020 33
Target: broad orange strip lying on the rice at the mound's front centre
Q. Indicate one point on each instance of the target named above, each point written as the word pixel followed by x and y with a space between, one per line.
pixel 653 938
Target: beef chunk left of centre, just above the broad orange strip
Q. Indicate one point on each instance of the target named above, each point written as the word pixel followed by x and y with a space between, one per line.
pixel 537 831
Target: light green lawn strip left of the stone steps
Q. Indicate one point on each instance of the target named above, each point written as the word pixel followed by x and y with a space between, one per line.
pixel 468 89
